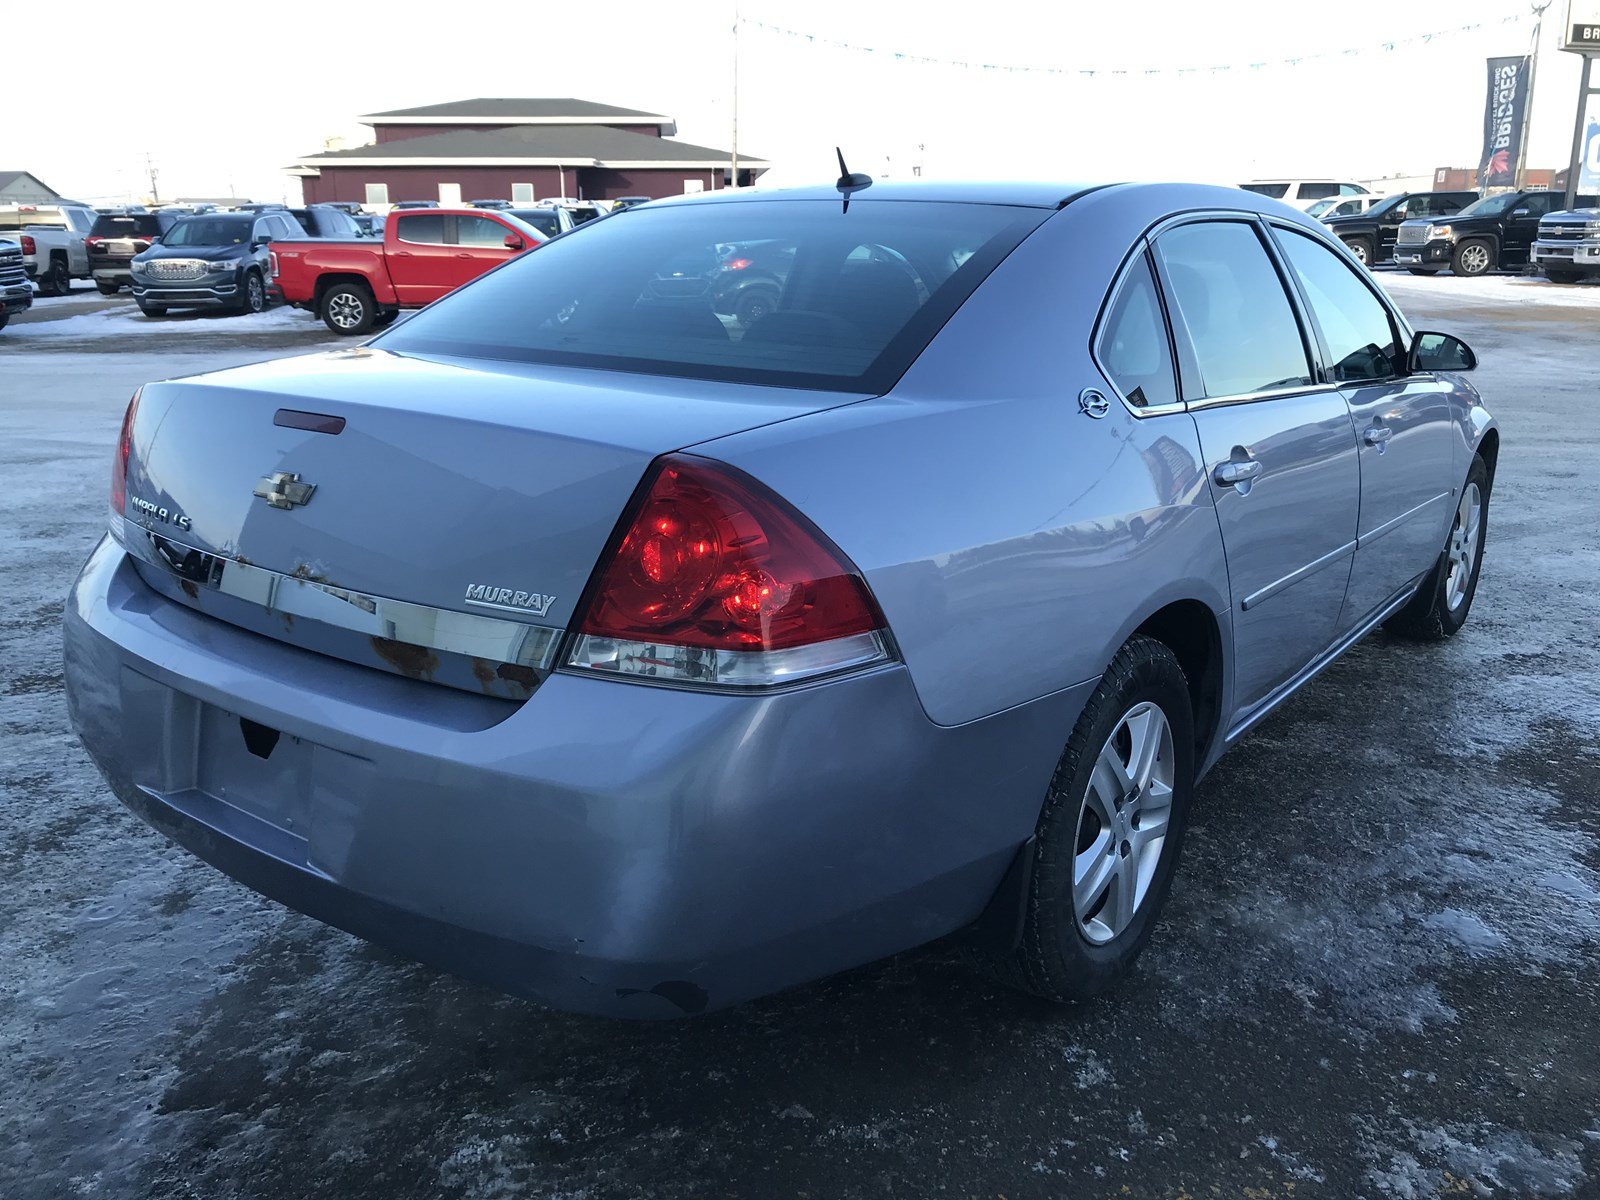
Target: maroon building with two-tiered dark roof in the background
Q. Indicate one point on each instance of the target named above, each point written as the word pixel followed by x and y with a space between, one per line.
pixel 521 151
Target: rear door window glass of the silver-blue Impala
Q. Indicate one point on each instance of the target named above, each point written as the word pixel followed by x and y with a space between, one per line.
pixel 1234 310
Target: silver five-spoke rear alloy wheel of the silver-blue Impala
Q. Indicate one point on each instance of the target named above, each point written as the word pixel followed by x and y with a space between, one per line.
pixel 1122 823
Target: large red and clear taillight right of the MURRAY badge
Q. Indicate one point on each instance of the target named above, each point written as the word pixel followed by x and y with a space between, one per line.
pixel 716 580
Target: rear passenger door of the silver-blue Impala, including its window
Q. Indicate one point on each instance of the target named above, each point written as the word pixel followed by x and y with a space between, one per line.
pixel 1278 444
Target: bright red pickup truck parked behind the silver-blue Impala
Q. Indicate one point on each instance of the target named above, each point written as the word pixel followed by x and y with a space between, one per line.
pixel 426 252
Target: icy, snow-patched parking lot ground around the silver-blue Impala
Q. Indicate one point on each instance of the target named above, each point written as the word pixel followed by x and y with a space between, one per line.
pixel 1377 975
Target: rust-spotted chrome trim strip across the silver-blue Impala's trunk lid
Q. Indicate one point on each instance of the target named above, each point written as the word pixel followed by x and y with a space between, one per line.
pixel 442 630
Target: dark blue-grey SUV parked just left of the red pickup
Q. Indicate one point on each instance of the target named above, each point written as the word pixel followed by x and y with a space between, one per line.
pixel 214 262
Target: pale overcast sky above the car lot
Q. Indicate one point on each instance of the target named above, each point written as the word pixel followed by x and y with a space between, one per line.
pixel 281 89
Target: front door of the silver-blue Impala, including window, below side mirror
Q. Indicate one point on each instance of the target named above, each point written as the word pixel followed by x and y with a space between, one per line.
pixel 1401 422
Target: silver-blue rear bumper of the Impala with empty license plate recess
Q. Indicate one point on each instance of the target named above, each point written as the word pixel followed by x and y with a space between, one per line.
pixel 606 847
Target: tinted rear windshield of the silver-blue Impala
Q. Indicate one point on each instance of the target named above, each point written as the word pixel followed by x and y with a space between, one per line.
pixel 782 292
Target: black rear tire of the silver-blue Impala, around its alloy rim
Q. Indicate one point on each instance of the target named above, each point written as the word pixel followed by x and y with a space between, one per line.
pixel 1057 958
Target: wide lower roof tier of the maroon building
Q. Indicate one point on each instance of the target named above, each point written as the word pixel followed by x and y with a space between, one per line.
pixel 530 146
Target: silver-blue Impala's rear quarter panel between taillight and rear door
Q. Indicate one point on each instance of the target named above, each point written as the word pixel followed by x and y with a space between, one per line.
pixel 1012 542
